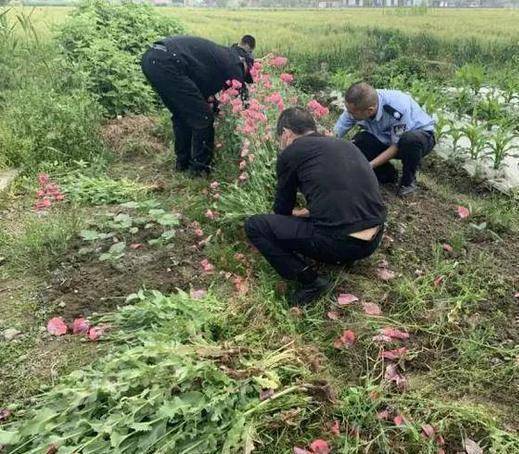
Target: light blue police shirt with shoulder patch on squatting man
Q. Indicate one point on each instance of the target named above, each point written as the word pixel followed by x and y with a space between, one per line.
pixel 397 113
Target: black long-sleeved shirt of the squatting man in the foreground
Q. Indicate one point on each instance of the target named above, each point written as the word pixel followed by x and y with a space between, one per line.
pixel 337 181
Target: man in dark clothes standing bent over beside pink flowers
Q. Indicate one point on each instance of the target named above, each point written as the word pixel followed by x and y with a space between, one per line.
pixel 187 72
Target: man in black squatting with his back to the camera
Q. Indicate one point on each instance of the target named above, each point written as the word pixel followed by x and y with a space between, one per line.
pixel 345 216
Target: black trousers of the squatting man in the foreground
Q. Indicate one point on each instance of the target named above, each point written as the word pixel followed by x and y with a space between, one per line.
pixel 284 241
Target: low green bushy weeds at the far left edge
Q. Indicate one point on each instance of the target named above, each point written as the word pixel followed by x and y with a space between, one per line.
pixel 40 125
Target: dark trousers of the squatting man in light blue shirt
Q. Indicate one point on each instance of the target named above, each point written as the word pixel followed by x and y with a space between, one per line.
pixel 412 147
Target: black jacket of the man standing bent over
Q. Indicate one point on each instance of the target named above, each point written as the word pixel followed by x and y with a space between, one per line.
pixel 207 64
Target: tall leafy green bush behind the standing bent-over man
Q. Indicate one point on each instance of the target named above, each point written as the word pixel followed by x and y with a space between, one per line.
pixel 106 42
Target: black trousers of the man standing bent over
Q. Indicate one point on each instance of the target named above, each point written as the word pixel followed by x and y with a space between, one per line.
pixel 191 115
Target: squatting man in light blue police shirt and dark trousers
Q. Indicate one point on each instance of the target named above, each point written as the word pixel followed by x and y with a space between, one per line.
pixel 393 126
